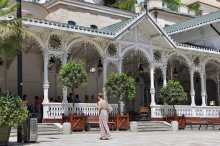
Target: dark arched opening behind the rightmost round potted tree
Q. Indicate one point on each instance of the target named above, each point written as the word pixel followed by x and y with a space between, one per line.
pixel 178 70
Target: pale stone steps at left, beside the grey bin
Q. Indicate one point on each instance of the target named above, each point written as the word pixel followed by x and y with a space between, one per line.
pixel 44 129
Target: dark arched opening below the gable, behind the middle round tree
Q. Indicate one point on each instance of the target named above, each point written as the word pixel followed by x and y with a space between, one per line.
pixel 136 65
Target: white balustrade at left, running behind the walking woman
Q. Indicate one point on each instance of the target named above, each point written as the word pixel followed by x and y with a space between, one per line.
pixel 55 110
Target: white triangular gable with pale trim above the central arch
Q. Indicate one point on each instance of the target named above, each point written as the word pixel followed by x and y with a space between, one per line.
pixel 147 31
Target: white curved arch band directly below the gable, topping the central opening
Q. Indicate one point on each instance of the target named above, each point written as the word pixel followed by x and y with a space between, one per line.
pixel 138 48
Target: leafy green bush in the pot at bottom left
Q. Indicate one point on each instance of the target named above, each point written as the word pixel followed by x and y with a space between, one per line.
pixel 12 111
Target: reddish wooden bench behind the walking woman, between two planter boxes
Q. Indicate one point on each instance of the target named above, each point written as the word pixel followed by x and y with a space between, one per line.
pixel 94 121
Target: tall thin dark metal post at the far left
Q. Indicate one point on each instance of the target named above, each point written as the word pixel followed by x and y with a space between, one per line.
pixel 19 66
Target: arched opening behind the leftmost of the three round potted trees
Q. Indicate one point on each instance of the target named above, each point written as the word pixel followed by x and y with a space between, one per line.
pixel 87 53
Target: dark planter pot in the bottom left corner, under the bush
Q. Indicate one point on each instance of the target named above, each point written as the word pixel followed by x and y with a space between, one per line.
pixel 4 136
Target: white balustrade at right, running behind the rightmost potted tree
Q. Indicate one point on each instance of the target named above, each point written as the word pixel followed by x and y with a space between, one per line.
pixel 160 111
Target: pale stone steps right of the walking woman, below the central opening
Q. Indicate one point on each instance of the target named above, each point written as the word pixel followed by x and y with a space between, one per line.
pixel 148 126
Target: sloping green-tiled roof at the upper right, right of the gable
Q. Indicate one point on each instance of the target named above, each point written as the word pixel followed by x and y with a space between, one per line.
pixel 200 32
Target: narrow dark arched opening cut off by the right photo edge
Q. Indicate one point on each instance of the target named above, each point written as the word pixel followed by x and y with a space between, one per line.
pixel 212 76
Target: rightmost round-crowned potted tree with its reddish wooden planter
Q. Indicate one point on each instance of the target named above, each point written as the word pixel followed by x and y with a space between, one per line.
pixel 172 94
